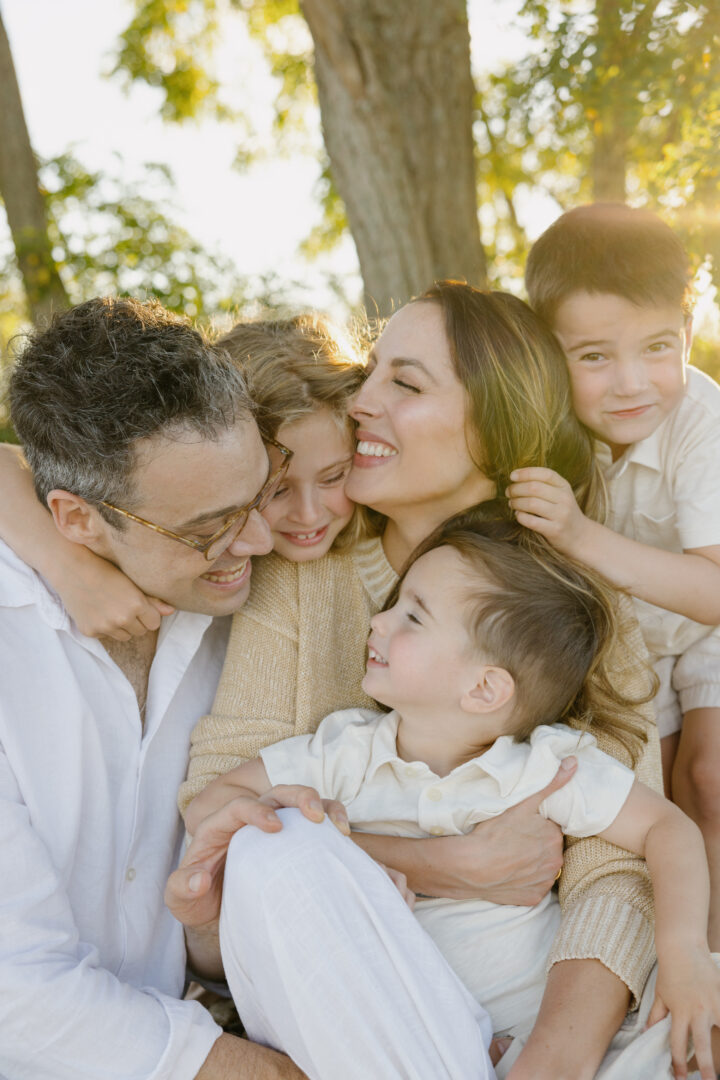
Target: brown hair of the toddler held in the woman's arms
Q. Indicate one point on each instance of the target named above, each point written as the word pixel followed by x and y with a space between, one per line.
pixel 549 622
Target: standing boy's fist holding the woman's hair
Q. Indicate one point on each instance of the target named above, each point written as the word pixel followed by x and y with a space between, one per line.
pixel 545 502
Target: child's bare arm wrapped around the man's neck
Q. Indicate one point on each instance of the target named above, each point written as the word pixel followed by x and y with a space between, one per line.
pixel 102 601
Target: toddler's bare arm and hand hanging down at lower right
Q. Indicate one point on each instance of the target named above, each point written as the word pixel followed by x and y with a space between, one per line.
pixel 688 980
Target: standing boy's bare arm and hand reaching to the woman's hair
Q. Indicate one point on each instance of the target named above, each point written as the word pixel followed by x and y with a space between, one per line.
pixel 687 583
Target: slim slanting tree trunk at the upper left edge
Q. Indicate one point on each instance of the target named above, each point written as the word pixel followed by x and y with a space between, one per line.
pixel 24 202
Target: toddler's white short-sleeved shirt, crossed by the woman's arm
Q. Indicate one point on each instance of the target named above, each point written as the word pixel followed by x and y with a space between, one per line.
pixel 499 952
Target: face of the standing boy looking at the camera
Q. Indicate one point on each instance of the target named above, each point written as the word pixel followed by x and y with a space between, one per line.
pixel 627 364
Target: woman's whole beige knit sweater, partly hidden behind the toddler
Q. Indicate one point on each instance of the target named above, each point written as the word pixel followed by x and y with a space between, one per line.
pixel 297 653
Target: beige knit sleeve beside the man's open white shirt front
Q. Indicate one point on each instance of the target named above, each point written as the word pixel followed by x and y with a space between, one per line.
pixel 255 704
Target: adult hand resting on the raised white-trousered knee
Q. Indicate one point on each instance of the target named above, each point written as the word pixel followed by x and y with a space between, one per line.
pixel 195 892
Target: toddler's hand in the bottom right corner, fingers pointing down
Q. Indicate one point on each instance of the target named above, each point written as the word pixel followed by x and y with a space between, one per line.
pixel 689 990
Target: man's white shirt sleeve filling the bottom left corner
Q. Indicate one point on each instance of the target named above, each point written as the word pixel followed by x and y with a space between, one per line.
pixel 63 1016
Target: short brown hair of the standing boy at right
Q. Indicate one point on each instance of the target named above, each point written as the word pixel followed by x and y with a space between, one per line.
pixel 608 248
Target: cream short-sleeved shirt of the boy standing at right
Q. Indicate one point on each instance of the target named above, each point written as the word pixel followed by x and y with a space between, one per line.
pixel 664 492
